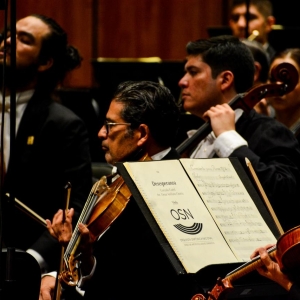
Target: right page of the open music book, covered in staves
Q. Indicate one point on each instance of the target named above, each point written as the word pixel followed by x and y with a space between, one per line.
pixel 231 206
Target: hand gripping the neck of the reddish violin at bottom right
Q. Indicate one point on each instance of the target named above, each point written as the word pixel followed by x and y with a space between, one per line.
pixel 271 269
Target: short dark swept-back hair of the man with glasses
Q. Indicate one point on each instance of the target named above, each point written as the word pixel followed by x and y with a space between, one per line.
pixel 150 103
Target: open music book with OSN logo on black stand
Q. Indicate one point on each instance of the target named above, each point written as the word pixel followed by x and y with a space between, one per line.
pixel 203 211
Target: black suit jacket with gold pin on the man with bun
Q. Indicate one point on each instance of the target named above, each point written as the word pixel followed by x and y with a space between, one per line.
pixel 51 149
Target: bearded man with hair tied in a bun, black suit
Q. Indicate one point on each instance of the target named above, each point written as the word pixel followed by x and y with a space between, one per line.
pixel 51 145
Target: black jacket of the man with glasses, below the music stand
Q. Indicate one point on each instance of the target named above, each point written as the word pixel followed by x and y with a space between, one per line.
pixel 131 264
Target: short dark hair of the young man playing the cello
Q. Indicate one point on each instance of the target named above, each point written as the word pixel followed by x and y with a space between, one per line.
pixel 223 53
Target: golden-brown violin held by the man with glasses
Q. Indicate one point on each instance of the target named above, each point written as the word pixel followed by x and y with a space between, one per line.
pixel 103 206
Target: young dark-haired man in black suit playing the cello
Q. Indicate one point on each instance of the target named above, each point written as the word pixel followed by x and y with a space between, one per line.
pixel 217 69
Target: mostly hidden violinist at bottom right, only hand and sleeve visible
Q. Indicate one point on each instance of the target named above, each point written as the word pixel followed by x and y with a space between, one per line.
pixel 271 270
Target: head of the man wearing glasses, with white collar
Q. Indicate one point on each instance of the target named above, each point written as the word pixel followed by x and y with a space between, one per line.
pixel 139 124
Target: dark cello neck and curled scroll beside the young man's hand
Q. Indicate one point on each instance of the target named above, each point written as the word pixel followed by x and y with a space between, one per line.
pixel 284 78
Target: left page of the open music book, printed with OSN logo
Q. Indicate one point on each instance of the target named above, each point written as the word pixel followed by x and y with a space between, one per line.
pixel 180 213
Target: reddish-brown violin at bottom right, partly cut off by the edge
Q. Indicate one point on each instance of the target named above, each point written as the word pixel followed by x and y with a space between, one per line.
pixel 286 253
